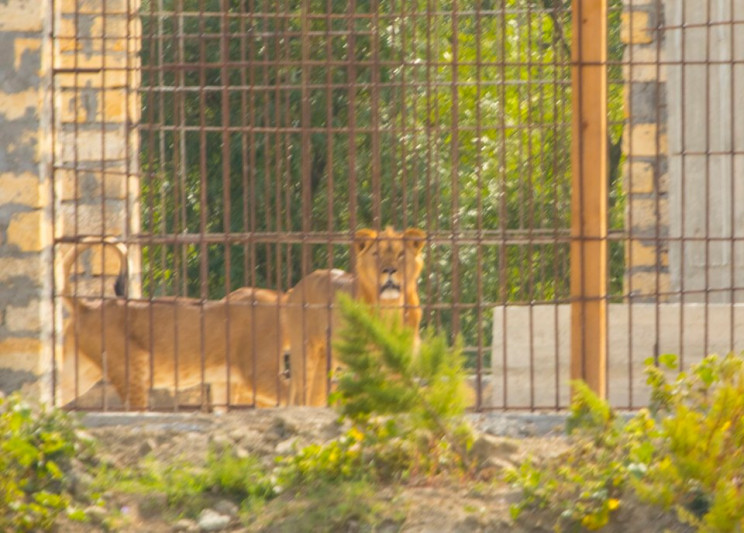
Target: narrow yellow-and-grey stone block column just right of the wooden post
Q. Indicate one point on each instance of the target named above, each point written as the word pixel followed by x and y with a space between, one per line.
pixel 645 171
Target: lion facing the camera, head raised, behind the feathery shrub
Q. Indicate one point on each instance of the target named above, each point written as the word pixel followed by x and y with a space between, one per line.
pixel 388 265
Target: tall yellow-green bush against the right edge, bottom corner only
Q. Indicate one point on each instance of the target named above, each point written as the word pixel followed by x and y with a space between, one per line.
pixel 699 461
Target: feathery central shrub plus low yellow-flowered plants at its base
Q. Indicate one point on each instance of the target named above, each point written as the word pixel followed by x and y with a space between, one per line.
pixel 405 406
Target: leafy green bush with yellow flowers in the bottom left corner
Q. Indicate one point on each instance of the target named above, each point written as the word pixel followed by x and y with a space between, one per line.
pixel 37 446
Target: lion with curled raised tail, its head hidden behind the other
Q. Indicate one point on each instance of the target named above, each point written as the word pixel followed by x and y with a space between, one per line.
pixel 176 343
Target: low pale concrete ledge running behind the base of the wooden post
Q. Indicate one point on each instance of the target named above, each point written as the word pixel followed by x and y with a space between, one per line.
pixel 531 348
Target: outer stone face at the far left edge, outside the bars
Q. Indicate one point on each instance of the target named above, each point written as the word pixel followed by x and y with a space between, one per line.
pixel 25 174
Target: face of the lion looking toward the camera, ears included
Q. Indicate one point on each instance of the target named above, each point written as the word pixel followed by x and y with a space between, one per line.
pixel 388 265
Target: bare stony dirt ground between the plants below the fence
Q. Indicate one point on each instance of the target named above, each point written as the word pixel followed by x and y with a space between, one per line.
pixel 455 506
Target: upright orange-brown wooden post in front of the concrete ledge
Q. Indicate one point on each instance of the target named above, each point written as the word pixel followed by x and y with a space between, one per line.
pixel 589 194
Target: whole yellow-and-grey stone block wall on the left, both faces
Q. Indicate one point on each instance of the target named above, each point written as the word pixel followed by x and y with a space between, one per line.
pixel 68 161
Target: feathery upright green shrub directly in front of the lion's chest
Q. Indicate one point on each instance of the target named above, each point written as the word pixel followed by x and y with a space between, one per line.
pixel 387 373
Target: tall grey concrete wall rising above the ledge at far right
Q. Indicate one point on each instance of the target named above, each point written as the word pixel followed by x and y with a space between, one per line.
pixel 706 147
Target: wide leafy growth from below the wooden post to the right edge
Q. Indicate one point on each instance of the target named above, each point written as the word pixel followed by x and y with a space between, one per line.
pixel 684 453
